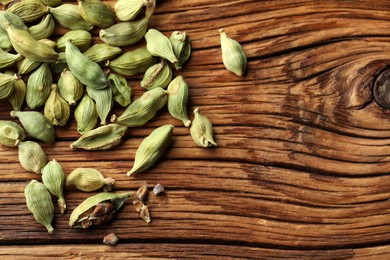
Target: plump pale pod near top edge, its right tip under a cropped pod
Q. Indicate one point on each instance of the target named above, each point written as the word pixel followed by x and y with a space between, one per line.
pixel 68 16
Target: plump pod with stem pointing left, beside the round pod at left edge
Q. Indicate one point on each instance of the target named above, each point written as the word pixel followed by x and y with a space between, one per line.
pixel 36 125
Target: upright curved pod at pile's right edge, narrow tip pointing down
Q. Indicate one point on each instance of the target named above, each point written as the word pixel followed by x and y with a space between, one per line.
pixel 177 100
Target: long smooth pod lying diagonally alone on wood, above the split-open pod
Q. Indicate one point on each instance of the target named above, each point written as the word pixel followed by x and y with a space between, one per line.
pixel 151 149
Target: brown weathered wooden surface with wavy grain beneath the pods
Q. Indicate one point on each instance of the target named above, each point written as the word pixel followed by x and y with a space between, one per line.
pixel 301 170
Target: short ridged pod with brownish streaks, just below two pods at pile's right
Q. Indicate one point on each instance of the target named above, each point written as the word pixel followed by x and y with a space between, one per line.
pixel 158 75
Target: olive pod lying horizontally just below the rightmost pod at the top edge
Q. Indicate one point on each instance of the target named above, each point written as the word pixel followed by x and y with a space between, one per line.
pixel 125 33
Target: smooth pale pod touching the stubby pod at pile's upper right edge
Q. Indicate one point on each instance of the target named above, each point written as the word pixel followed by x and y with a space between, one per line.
pixel 159 45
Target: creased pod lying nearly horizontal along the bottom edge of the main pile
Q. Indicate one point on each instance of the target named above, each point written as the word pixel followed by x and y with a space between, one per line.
pixel 101 138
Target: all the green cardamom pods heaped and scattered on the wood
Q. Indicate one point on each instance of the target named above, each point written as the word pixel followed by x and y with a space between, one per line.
pixel 92 78
